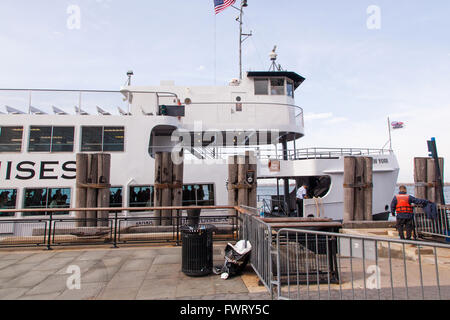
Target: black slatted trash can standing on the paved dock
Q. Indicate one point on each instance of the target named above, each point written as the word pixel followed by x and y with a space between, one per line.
pixel 197 250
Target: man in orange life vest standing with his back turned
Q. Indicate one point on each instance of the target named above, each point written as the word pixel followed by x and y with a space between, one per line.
pixel 402 206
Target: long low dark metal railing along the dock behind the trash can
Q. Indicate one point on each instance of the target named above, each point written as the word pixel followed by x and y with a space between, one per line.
pixel 117 229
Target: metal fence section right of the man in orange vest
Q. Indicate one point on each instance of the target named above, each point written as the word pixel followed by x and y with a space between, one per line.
pixel 438 228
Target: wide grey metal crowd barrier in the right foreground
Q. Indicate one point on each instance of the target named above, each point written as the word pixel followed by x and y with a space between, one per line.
pixel 321 265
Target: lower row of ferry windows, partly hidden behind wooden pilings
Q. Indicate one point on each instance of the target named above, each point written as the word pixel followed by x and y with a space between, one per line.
pixel 142 196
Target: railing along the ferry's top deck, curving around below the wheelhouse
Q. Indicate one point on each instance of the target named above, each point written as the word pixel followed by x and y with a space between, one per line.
pixel 34 99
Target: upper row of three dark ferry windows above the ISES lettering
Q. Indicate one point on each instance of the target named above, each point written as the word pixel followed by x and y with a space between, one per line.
pixel 61 139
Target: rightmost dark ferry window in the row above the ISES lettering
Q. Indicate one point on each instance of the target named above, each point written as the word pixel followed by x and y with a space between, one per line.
pixel 102 139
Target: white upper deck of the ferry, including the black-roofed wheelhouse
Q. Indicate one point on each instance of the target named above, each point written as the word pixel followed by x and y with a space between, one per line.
pixel 260 102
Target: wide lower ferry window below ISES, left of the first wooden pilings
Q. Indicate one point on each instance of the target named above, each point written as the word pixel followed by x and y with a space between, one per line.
pixel 44 198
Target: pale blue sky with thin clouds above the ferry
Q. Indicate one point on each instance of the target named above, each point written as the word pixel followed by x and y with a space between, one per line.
pixel 363 61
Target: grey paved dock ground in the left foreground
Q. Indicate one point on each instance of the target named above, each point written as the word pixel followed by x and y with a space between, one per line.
pixel 117 274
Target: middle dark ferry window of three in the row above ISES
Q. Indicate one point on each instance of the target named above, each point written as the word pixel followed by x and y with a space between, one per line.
pixel 51 139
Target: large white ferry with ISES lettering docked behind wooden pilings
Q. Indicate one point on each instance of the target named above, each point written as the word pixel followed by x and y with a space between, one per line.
pixel 258 112
